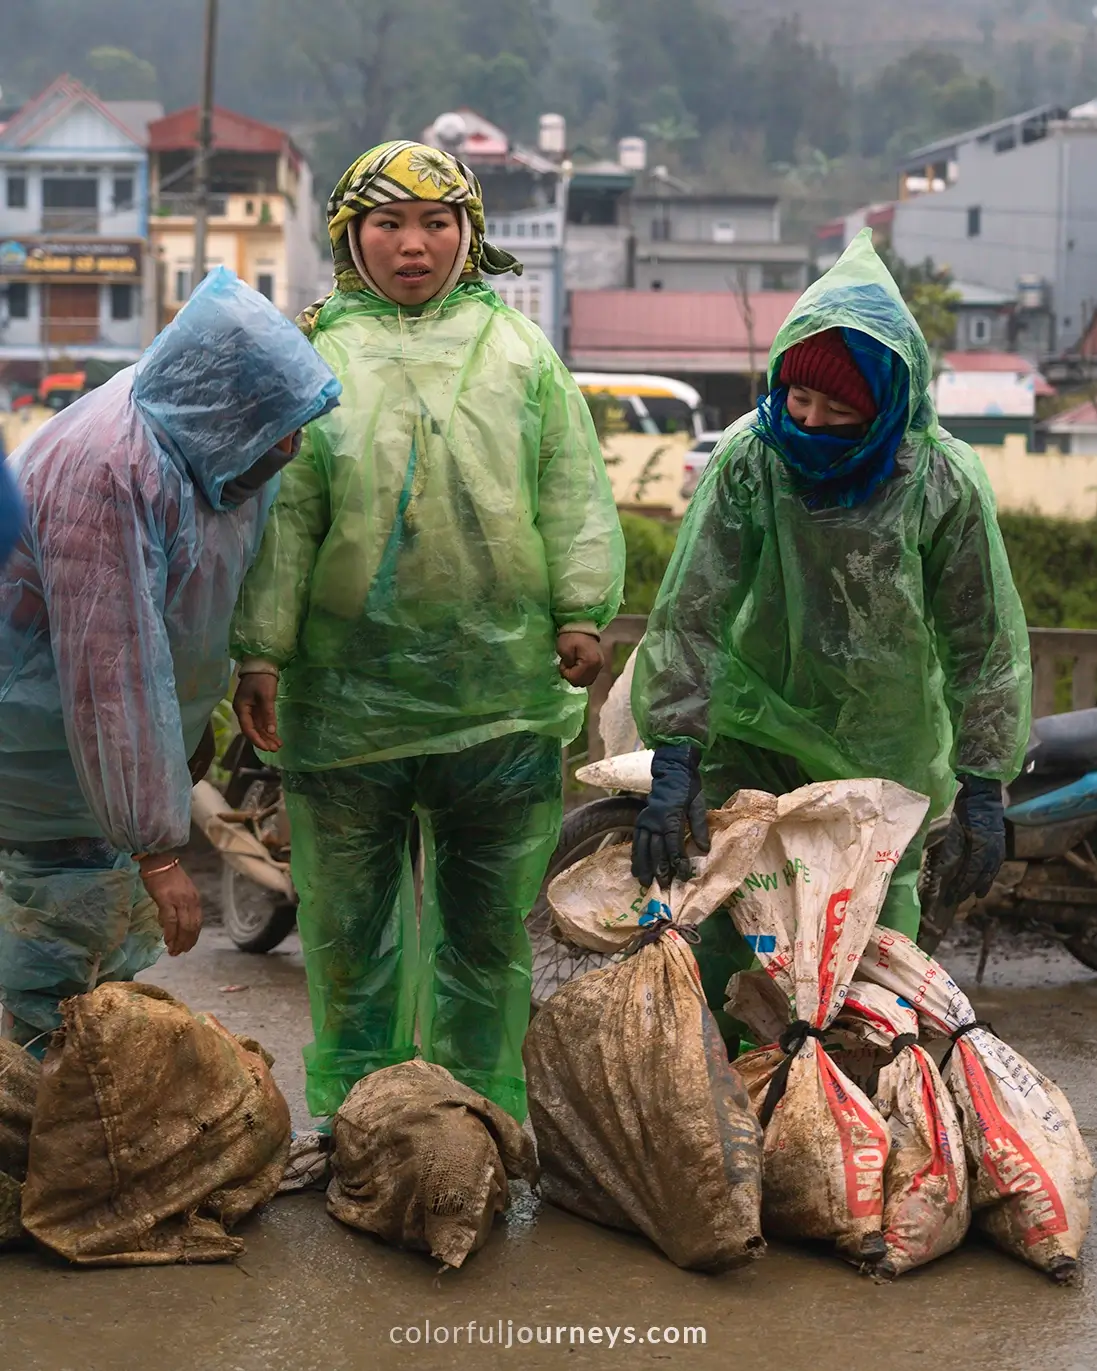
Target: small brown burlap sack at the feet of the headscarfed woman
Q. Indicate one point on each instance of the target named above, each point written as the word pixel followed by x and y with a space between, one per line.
pixel 423 1162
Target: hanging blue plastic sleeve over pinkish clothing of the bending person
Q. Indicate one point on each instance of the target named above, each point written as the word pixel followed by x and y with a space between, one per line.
pixel 105 570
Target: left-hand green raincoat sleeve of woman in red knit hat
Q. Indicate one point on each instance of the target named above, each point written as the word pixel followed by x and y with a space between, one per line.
pixel 689 631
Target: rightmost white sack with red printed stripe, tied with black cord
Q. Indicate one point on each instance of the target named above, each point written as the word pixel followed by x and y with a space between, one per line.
pixel 1030 1169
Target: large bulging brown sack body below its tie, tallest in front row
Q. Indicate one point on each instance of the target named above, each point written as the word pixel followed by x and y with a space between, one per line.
pixel 641 1121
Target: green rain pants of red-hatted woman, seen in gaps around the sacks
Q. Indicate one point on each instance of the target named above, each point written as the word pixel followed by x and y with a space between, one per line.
pixel 729 767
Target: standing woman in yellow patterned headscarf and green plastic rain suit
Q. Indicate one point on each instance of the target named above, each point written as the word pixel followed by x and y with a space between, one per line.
pixel 429 597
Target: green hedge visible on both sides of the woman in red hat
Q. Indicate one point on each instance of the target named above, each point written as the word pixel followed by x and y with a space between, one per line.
pixel 1055 566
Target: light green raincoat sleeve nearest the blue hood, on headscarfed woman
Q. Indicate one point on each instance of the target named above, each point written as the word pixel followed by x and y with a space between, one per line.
pixel 276 590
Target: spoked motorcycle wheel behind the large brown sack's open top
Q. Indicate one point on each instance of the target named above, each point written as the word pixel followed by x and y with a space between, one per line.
pixel 586 830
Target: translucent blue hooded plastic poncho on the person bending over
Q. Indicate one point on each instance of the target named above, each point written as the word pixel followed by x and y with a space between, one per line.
pixel 114 611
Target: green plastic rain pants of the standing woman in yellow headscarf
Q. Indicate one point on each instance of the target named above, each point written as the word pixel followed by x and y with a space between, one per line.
pixel 459 984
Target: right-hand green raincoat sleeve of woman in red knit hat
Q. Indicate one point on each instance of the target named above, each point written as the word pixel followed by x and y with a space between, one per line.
pixel 983 638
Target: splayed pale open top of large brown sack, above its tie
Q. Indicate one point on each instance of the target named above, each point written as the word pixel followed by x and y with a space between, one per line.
pixel 600 904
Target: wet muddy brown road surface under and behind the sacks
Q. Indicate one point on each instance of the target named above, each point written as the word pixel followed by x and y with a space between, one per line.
pixel 313 1295
